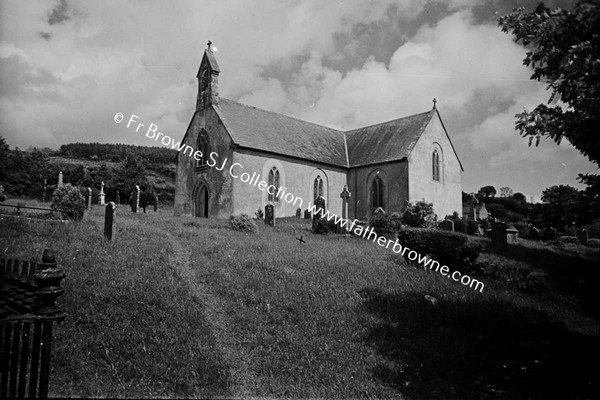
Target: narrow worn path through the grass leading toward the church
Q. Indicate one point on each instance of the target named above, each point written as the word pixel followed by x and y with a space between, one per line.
pixel 234 355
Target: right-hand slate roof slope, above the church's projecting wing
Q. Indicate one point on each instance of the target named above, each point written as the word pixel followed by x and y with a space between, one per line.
pixel 387 141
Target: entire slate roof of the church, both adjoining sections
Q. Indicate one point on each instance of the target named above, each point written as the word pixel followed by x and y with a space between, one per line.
pixel 258 129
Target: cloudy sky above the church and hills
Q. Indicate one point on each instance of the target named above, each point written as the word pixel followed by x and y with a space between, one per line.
pixel 66 68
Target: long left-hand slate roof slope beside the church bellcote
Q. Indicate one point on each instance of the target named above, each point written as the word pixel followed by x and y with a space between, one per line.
pixel 276 133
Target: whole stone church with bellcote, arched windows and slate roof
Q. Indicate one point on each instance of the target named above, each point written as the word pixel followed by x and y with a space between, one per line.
pixel 385 165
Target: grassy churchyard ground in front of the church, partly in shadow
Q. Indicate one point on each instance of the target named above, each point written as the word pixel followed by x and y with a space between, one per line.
pixel 181 307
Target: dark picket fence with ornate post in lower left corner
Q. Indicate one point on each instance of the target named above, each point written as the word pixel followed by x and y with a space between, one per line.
pixel 28 312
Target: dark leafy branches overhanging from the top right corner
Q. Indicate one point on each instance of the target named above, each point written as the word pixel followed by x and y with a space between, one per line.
pixel 564 52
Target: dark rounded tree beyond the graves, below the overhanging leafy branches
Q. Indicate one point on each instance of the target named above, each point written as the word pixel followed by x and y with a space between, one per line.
pixel 561 205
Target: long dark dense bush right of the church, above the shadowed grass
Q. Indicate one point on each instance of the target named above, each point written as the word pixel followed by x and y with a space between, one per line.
pixel 448 248
